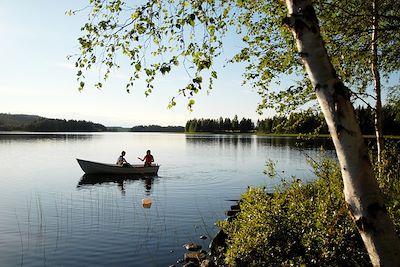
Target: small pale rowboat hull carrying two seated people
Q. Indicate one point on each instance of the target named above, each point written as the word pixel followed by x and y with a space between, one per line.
pixel 91 167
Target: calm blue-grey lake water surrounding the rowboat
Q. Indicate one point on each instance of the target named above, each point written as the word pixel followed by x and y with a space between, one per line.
pixel 51 215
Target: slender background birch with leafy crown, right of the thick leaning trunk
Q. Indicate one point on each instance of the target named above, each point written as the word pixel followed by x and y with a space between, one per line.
pixel 361 37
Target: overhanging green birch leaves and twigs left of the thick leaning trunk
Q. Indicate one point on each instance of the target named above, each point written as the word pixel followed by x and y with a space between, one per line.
pixel 157 37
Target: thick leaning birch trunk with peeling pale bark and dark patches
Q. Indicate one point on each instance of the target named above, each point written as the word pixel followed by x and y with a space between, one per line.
pixel 361 189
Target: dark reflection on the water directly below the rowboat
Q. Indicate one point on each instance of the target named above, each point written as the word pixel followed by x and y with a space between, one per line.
pixel 120 180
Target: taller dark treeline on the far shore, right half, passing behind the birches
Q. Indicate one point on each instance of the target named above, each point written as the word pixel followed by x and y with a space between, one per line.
pixel 296 123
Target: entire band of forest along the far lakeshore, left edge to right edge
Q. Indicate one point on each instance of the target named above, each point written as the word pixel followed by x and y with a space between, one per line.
pixel 303 123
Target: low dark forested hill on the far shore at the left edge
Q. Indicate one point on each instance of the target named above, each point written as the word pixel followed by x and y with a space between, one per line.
pixel 33 123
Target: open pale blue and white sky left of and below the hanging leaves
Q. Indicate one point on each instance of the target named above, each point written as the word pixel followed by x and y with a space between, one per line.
pixel 36 77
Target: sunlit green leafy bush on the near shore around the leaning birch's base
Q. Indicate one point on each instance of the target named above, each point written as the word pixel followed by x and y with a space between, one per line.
pixel 306 224
